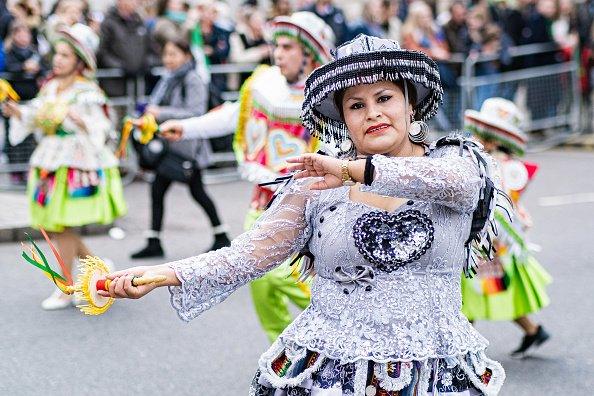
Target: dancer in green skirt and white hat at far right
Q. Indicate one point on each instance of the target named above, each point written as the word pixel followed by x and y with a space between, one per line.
pixel 513 285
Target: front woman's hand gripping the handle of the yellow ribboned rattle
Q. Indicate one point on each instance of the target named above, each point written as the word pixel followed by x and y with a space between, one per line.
pixel 121 281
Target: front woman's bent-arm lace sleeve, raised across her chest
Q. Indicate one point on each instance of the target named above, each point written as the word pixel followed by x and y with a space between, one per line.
pixel 445 178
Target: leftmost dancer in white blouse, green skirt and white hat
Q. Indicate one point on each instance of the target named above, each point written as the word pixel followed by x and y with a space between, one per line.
pixel 74 178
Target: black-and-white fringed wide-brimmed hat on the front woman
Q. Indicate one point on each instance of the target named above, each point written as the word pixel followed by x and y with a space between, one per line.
pixel 367 60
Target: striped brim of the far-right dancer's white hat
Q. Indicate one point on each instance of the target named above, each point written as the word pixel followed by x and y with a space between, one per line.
pixel 488 127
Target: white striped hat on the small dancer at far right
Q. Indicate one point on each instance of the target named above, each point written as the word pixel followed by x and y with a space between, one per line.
pixel 499 120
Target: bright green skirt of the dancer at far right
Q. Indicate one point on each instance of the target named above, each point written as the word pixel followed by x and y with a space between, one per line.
pixel 524 292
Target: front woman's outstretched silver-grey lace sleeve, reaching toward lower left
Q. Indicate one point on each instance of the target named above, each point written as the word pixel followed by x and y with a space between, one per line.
pixel 282 230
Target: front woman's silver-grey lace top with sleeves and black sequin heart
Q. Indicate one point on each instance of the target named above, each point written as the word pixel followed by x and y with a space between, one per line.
pixel 360 308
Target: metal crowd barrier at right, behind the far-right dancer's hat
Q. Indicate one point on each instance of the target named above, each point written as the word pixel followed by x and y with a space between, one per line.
pixel 548 94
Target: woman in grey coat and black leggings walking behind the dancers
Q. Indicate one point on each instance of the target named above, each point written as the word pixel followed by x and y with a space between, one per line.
pixel 180 94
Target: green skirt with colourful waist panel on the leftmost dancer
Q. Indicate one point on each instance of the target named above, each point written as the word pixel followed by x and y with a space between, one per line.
pixel 70 198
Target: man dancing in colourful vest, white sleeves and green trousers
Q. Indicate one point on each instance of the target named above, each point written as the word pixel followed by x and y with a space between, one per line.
pixel 268 130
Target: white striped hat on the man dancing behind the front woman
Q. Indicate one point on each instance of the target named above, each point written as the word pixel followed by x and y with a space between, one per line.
pixel 309 30
